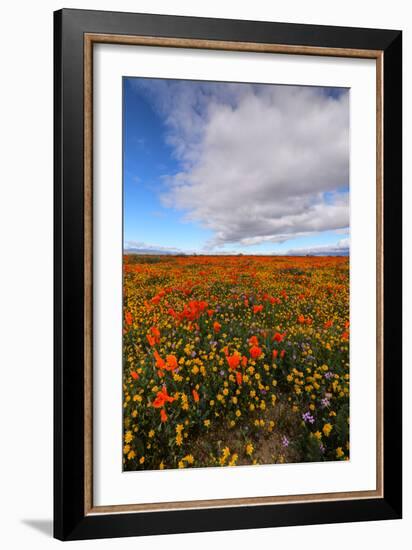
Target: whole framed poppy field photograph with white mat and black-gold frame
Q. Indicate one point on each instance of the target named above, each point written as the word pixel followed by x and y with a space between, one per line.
pixel 227 274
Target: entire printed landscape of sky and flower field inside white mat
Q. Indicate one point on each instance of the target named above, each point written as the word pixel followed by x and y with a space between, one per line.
pixel 235 274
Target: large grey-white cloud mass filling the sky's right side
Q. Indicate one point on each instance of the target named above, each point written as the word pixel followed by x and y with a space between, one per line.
pixel 259 163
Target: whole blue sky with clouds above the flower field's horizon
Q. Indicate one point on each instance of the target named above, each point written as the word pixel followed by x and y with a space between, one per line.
pixel 226 168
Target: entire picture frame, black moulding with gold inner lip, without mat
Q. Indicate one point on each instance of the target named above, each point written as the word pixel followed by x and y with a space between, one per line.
pixel 76 32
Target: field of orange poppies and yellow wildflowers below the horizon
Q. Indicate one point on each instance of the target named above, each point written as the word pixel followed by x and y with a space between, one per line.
pixel 234 360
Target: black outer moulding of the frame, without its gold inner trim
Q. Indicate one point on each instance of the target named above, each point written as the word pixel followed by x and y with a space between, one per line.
pixel 70 522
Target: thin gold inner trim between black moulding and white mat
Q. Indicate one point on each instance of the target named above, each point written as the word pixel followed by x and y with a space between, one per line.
pixel 89 40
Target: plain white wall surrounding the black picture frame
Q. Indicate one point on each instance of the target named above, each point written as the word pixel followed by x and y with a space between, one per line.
pixel 26 270
